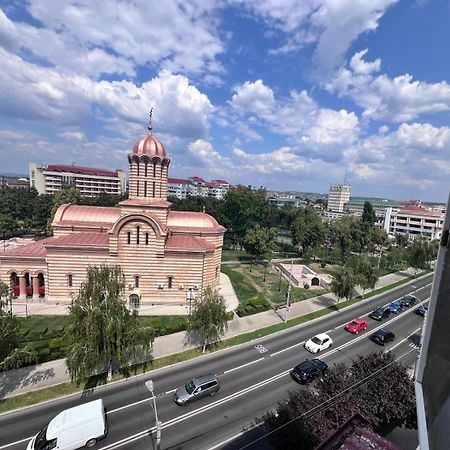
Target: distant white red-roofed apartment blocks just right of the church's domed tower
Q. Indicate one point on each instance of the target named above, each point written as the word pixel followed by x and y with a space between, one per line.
pixel 197 187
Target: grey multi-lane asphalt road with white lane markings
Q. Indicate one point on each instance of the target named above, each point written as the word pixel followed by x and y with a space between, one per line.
pixel 254 378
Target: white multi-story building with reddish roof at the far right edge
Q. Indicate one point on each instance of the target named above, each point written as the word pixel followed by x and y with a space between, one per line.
pixel 415 221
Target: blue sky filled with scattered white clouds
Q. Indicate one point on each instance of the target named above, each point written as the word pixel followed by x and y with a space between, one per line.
pixel 291 95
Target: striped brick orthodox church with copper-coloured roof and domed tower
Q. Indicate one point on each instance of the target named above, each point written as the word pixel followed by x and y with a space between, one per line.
pixel 167 256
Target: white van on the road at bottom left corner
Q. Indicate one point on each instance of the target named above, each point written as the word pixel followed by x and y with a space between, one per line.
pixel 81 426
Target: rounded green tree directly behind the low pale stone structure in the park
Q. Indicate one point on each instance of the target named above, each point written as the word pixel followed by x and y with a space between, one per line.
pixel 308 230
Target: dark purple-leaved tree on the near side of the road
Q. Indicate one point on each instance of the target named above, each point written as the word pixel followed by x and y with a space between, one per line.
pixel 375 385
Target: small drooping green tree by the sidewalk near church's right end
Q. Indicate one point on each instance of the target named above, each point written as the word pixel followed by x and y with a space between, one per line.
pixel 208 321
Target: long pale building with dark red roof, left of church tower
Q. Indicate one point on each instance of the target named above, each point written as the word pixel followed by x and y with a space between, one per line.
pixel 48 179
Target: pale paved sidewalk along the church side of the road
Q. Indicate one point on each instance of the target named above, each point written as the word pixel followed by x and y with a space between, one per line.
pixel 20 381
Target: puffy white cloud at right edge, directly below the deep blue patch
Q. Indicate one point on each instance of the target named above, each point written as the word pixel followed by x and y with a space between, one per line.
pixel 397 99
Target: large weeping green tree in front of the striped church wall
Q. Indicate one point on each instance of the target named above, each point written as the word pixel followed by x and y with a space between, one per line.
pixel 101 331
